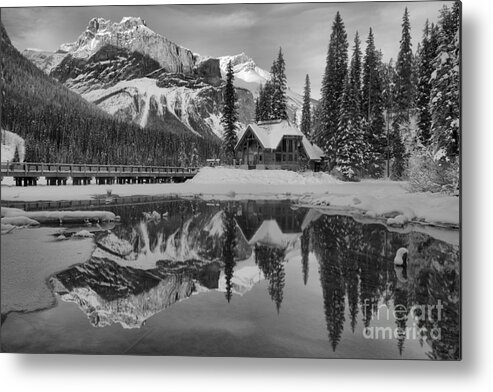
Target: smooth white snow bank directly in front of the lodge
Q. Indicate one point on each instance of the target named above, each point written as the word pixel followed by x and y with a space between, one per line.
pixel 222 175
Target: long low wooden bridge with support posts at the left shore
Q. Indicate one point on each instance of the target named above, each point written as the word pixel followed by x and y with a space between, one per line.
pixel 28 174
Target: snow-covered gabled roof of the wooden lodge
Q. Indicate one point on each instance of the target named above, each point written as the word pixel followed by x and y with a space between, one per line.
pixel 270 133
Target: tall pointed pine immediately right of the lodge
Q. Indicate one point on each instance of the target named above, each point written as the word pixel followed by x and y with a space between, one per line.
pixel 332 90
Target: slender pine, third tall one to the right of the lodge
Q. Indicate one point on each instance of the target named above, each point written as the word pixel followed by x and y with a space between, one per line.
pixel 373 110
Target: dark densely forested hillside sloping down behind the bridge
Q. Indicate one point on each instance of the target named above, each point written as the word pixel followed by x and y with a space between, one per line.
pixel 60 126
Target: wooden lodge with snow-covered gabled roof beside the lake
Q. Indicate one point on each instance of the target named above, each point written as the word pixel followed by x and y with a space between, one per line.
pixel 276 145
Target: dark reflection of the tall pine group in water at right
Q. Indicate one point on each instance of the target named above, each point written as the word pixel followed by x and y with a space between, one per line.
pixel 349 252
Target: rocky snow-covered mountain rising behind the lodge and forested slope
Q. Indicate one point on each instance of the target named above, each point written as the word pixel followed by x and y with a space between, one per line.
pixel 139 75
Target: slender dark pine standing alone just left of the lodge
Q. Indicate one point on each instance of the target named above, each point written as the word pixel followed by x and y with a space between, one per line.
pixel 230 116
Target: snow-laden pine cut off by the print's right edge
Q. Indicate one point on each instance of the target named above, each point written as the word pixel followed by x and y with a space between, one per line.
pixel 445 82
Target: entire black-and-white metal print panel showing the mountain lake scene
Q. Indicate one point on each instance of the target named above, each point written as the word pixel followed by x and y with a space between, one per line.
pixel 260 180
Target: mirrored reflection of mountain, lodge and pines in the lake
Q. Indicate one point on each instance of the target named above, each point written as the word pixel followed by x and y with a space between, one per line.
pixel 144 266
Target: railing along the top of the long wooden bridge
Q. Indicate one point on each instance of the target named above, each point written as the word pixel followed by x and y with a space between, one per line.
pixel 68 169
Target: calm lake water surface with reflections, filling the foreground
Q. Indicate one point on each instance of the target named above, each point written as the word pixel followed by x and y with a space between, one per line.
pixel 243 278
